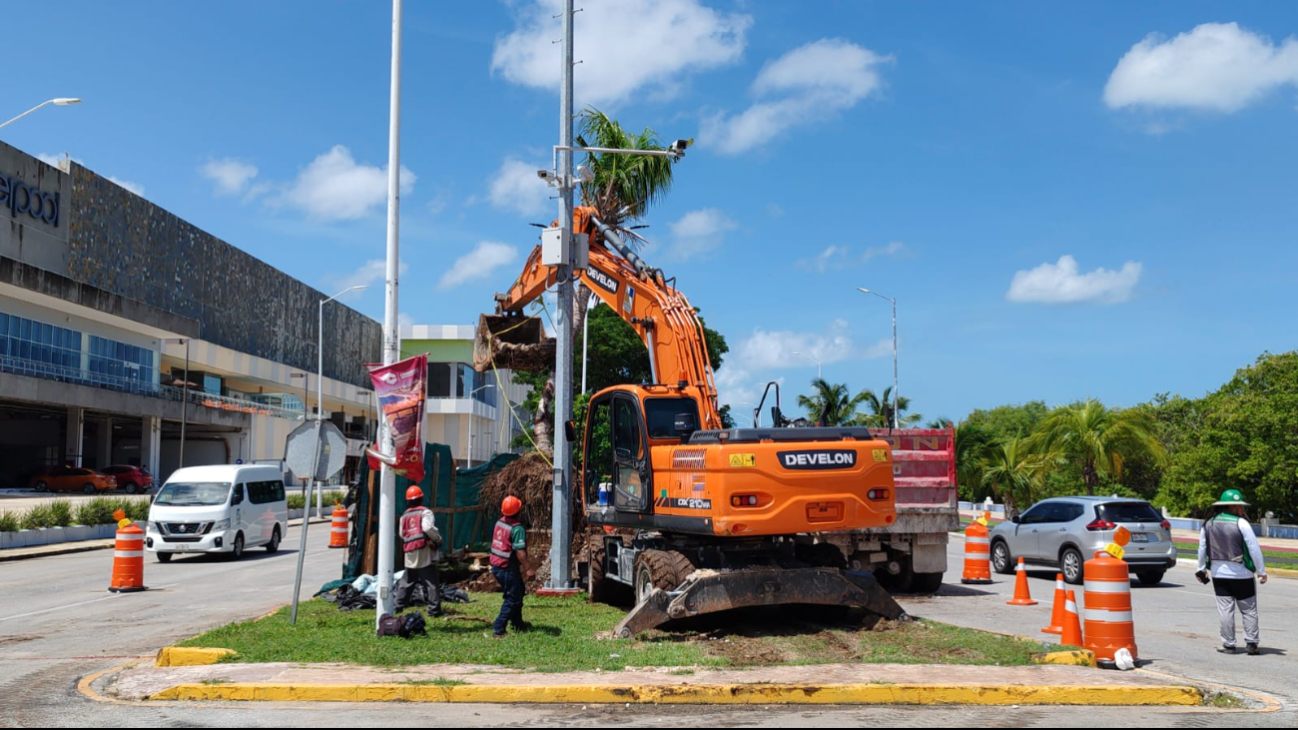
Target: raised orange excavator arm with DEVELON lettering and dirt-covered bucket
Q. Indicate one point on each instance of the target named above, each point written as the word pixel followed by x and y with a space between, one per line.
pixel 660 315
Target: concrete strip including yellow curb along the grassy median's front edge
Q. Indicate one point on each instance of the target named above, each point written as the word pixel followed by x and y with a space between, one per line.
pixel 826 684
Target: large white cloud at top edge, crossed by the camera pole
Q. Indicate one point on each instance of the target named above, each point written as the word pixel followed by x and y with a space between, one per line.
pixel 624 47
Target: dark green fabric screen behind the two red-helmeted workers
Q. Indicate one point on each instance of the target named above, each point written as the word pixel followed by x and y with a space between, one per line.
pixel 450 492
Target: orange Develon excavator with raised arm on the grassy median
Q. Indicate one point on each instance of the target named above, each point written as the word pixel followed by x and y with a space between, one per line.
pixel 722 518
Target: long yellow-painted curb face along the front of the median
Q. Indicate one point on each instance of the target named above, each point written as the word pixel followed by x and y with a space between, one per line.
pixel 696 694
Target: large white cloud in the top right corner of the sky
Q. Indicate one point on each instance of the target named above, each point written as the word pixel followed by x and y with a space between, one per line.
pixel 1216 67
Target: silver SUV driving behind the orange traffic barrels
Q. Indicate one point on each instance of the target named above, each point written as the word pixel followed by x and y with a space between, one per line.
pixel 1068 532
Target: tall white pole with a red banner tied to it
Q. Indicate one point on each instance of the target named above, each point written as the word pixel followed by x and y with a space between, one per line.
pixel 391 332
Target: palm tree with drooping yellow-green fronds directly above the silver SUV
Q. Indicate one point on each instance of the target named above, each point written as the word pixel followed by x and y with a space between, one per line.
pixel 1103 440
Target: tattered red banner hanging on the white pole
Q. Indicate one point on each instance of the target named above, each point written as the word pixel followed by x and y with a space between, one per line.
pixel 402 390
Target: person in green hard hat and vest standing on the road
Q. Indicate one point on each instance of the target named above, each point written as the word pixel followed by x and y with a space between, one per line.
pixel 1230 550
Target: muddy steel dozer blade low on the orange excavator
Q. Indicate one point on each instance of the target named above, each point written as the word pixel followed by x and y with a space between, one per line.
pixel 711 592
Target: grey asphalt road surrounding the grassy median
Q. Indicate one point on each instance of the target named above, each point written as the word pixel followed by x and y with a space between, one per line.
pixel 58 625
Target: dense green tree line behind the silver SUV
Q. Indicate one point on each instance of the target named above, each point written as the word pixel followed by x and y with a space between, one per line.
pixel 1174 451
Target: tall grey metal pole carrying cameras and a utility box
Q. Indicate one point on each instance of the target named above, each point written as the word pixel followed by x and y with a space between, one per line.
pixel 561 523
